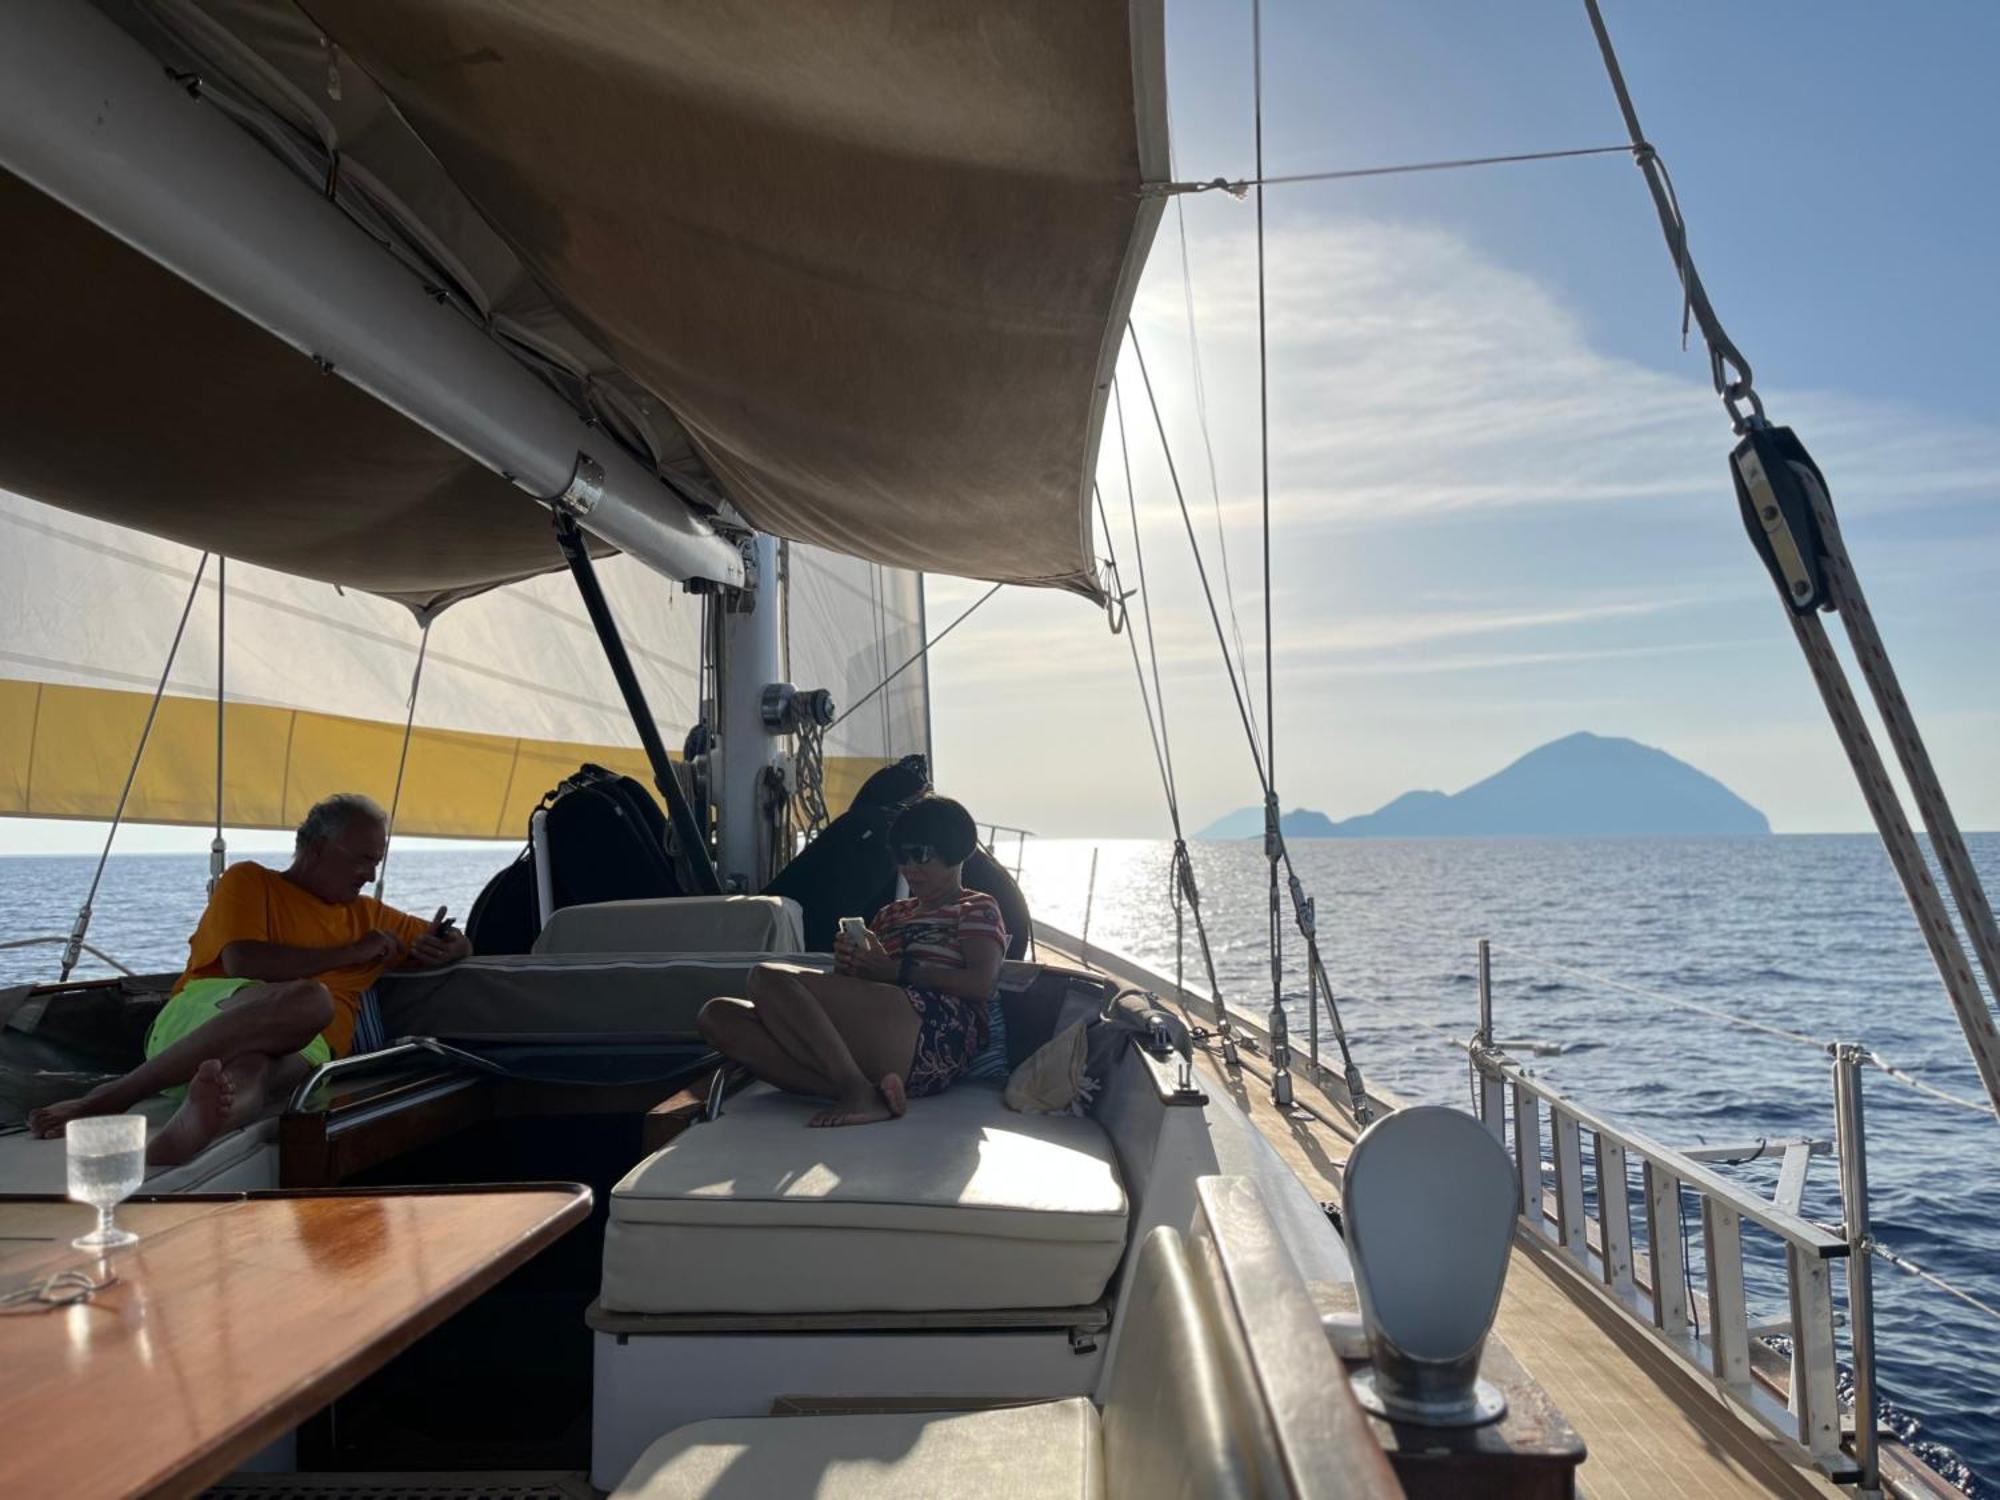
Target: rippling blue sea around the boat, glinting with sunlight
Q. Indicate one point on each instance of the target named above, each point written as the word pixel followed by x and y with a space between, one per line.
pixel 1807 933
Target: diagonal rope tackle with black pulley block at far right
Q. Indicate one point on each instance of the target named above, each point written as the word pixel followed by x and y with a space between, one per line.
pixel 1789 513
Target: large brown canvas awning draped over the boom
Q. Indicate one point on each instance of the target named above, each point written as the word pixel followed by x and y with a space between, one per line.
pixel 857 269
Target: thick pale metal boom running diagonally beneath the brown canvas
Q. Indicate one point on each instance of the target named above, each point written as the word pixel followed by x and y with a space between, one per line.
pixel 93 119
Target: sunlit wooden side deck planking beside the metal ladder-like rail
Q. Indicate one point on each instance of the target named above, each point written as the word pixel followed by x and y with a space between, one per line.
pixel 1649 1427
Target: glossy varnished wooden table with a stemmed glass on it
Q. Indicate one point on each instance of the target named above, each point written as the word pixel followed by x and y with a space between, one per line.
pixel 231 1321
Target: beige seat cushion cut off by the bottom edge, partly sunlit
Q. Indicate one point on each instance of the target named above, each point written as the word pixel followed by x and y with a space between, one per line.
pixel 1019 1453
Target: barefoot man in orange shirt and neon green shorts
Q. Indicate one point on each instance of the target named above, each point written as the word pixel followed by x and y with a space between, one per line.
pixel 275 983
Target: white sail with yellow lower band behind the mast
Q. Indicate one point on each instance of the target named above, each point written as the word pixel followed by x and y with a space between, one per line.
pixel 513 697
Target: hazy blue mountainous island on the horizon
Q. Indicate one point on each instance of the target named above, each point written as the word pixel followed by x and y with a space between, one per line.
pixel 1579 787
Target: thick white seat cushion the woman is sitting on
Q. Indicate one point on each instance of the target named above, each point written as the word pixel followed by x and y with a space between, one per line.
pixel 959 1205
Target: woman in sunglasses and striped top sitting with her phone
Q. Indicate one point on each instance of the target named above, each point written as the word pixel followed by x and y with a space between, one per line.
pixel 907 1011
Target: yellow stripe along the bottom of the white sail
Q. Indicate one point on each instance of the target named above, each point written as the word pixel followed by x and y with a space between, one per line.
pixel 65 753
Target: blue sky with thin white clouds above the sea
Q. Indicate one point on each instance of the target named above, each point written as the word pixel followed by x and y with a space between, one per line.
pixel 1499 483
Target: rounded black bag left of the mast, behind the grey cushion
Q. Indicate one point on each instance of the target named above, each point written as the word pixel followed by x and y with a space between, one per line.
pixel 607 843
